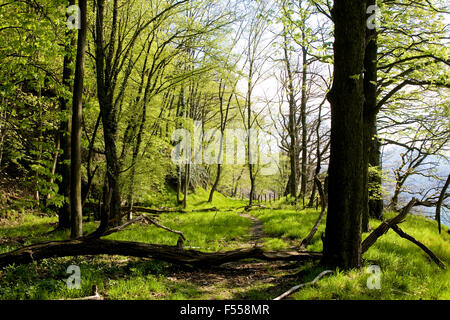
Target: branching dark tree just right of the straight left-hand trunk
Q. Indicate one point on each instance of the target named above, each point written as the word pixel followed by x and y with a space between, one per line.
pixel 110 58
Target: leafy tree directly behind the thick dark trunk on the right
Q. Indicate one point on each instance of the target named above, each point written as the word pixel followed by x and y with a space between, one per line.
pixel 394 49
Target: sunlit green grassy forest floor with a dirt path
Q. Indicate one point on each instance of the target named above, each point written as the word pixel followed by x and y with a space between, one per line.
pixel 406 272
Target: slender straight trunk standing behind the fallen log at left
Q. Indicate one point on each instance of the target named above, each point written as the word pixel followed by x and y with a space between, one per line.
pixel 75 163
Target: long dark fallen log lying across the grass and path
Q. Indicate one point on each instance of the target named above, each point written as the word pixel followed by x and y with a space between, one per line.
pixel 173 254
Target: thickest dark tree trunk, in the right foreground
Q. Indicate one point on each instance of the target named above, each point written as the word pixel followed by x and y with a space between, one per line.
pixel 342 243
